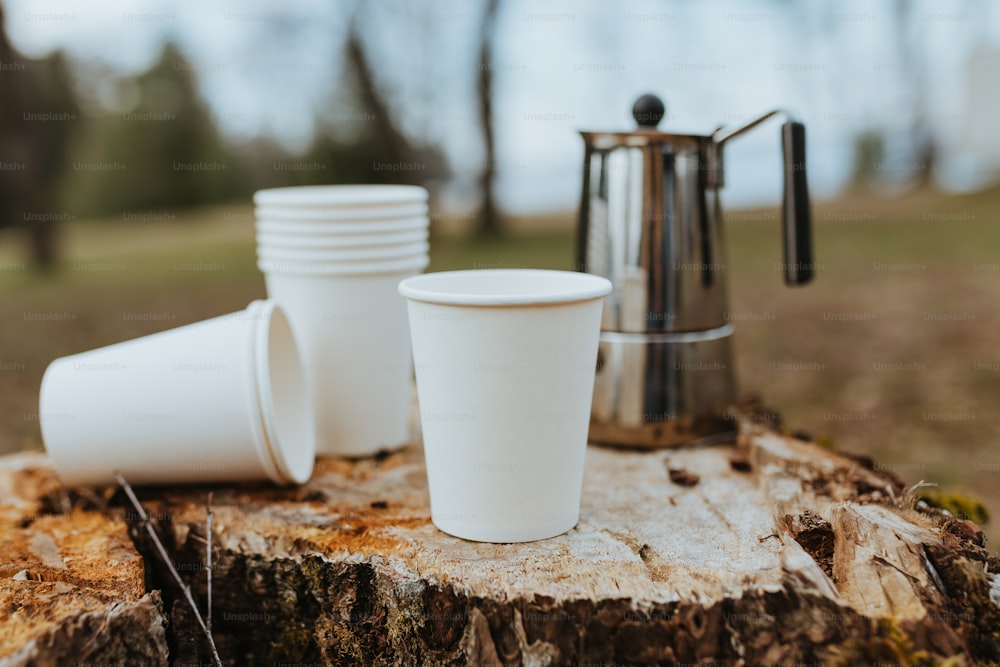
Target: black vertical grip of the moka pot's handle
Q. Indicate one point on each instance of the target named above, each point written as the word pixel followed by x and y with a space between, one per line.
pixel 796 217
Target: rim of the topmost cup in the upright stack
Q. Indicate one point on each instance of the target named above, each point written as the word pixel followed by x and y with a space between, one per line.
pixel 340 196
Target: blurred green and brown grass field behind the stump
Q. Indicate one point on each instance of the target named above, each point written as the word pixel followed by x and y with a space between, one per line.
pixel 890 378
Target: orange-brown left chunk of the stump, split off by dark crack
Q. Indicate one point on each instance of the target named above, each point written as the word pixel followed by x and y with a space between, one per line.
pixel 72 585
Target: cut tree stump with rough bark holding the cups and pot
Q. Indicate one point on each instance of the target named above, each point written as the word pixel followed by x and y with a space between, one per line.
pixel 763 550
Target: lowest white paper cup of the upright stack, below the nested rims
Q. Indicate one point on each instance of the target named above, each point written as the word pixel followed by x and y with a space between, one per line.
pixel 353 335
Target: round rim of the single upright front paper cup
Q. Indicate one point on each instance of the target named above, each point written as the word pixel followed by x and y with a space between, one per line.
pixel 504 287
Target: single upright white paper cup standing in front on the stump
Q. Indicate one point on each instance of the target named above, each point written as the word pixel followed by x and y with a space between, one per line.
pixel 505 365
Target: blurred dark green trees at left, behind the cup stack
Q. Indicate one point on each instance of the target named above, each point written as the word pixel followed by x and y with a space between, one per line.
pixel 149 143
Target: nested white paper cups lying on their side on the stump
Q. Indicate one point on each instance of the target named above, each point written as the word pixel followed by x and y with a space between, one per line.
pixel 219 400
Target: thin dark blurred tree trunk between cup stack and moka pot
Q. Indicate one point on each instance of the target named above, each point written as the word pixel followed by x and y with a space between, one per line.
pixel 489 221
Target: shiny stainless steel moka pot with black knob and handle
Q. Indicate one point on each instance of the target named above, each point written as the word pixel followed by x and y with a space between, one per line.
pixel 651 222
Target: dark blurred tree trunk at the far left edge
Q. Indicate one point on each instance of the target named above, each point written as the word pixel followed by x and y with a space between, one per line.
pixel 21 186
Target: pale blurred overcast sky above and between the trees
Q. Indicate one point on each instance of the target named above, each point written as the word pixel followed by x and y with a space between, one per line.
pixel 560 67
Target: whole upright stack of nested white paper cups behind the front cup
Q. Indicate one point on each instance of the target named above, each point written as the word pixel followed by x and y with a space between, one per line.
pixel 332 256
